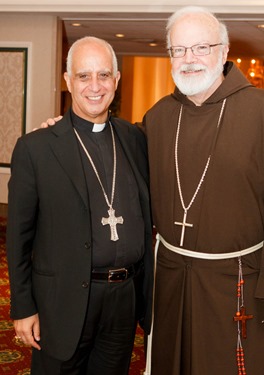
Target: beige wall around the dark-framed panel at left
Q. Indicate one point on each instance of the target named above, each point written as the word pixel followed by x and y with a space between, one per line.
pixel 42 35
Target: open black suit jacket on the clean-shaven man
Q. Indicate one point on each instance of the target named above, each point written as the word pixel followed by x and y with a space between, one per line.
pixel 49 240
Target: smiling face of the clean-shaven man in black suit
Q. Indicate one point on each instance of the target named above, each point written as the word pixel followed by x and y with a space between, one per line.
pixel 92 81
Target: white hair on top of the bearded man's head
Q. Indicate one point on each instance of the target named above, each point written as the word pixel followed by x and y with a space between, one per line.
pixel 223 33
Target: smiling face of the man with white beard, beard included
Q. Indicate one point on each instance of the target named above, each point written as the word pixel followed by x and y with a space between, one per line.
pixel 197 75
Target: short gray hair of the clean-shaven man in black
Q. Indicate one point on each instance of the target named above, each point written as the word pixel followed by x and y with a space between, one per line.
pixel 96 40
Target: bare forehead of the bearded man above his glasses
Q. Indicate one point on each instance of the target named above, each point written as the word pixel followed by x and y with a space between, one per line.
pixel 193 29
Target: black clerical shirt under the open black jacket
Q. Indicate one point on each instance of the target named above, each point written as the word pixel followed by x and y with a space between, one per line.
pixel 129 248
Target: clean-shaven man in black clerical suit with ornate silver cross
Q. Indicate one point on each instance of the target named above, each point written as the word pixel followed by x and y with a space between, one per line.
pixel 79 235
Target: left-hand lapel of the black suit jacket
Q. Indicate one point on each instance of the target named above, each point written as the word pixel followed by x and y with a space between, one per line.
pixel 66 150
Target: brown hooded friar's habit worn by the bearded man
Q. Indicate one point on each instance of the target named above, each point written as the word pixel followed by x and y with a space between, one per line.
pixel 195 300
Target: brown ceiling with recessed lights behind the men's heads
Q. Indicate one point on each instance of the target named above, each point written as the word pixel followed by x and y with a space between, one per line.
pixel 140 29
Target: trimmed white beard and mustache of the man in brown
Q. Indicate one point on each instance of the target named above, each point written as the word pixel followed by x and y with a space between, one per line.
pixel 192 85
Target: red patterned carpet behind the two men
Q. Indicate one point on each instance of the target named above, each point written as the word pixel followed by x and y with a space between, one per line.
pixel 14 357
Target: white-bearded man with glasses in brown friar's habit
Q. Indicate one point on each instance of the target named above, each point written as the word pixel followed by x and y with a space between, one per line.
pixel 206 154
